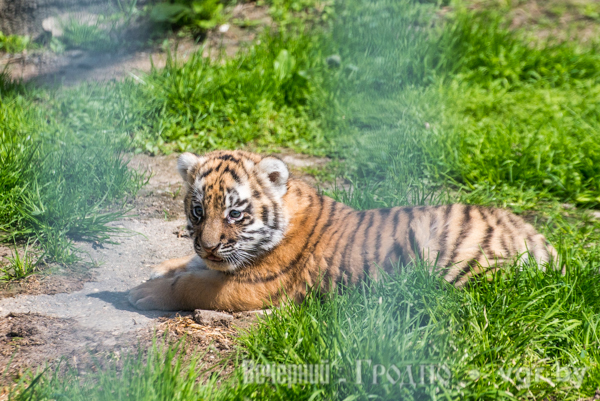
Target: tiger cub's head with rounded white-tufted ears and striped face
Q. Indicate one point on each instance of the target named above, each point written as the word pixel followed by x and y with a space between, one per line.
pixel 234 205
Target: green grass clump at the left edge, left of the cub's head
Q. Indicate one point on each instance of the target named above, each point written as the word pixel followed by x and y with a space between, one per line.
pixel 59 171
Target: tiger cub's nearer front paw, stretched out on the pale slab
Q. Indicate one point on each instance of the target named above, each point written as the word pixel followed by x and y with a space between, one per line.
pixel 154 295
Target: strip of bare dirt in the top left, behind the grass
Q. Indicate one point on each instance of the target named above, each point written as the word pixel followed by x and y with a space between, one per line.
pixel 75 66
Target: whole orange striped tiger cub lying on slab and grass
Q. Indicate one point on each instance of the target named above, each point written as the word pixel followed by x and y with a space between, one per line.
pixel 260 236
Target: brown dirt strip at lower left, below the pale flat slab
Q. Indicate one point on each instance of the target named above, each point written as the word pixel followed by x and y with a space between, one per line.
pixel 30 342
